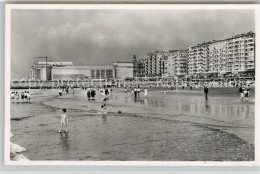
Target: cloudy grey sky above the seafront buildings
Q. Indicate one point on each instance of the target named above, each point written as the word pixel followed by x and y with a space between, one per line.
pixel 100 37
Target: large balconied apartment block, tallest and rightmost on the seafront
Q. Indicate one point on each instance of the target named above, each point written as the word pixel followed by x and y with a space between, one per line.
pixel 233 55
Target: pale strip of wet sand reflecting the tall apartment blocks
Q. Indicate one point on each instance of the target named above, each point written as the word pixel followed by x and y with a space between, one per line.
pixel 195 106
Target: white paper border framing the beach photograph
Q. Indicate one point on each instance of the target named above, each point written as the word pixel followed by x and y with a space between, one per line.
pixel 10 7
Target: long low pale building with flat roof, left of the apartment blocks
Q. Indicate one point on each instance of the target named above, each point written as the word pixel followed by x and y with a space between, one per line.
pixel 66 71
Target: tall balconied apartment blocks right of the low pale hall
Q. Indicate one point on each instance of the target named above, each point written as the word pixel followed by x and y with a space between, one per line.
pixel 234 55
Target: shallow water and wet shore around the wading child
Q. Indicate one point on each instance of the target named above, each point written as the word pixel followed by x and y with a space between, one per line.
pixel 161 127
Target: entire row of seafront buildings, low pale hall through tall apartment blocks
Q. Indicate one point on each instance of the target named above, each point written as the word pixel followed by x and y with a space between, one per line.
pixel 217 58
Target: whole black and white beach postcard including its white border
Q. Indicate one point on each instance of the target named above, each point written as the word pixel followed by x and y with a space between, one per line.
pixel 131 84
